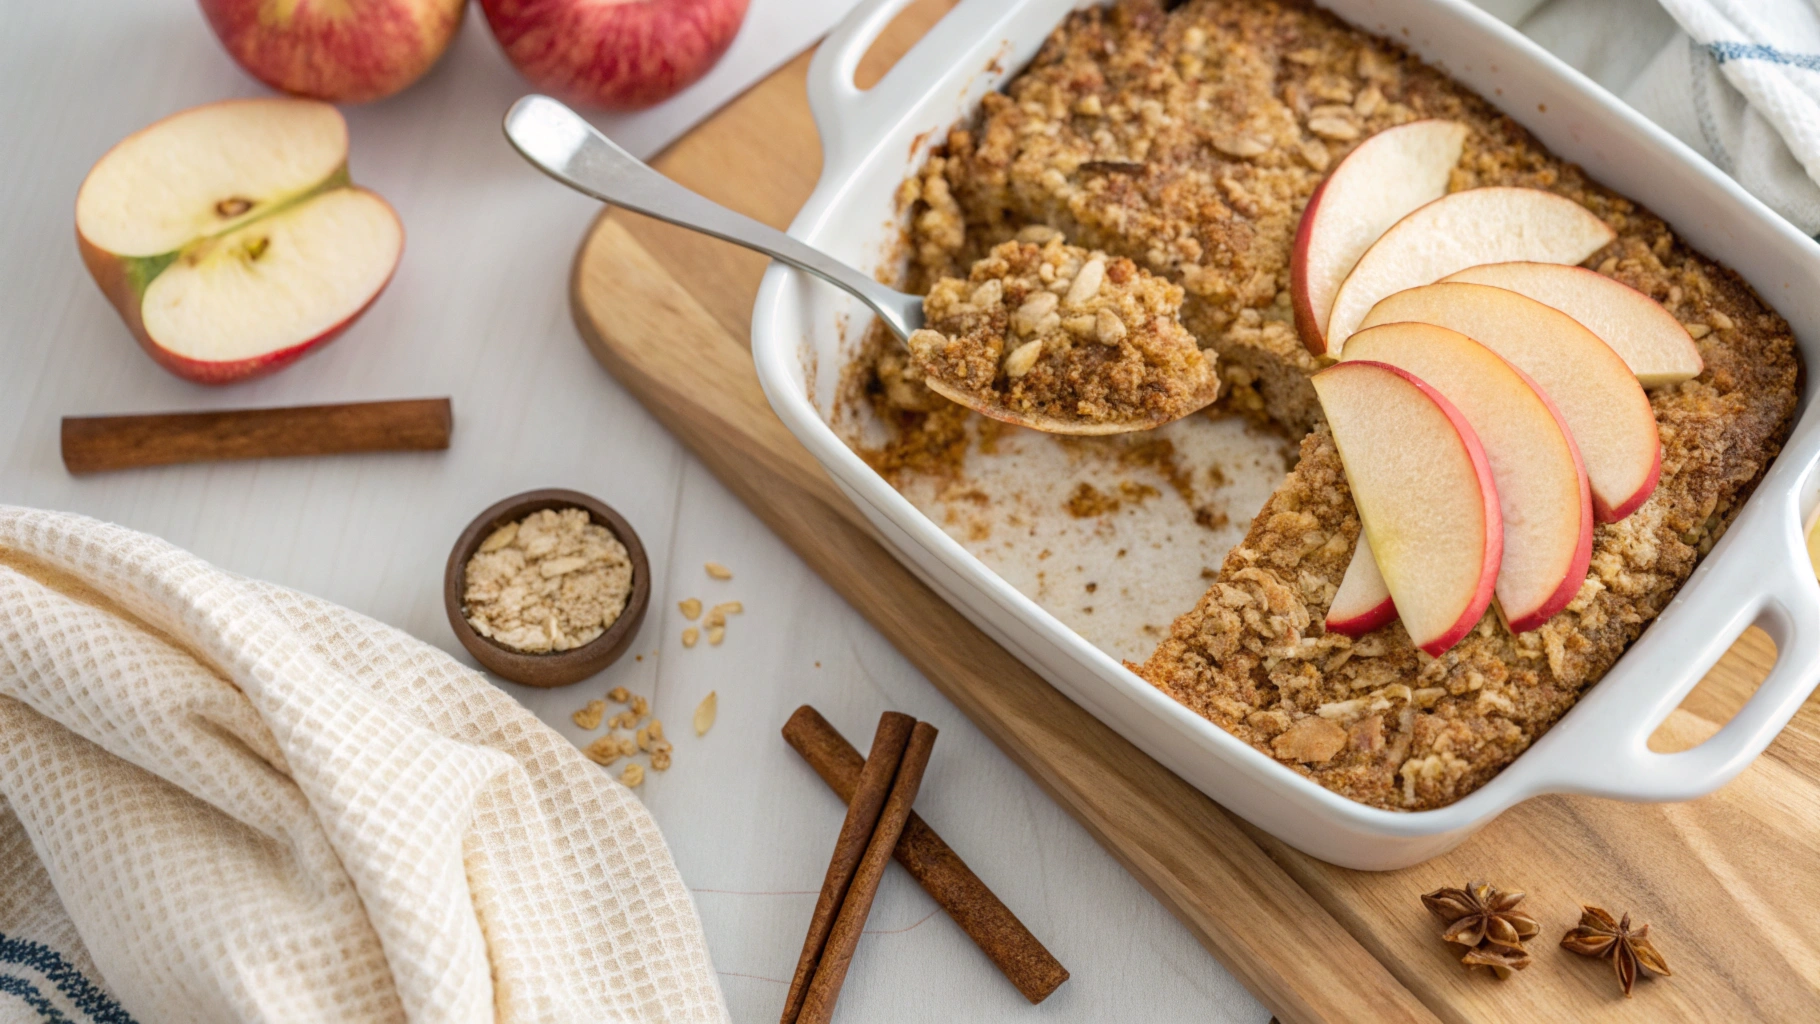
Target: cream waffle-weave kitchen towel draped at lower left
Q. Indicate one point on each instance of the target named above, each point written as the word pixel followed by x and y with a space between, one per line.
pixel 227 801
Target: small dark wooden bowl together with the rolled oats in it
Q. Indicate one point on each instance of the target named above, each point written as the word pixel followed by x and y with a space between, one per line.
pixel 547 588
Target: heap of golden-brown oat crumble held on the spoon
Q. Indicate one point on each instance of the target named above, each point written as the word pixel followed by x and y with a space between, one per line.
pixel 1057 336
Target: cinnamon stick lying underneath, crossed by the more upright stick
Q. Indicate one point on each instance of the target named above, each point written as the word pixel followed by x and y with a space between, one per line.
pixel 936 867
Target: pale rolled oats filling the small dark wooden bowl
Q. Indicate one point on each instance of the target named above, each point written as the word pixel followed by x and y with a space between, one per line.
pixel 549 583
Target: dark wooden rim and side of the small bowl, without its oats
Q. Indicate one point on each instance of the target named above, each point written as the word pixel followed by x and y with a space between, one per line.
pixel 558 668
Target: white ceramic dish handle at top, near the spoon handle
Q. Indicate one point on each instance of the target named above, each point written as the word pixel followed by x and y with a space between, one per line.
pixel 849 117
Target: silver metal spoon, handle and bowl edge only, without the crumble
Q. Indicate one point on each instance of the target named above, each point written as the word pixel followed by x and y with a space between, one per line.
pixel 567 148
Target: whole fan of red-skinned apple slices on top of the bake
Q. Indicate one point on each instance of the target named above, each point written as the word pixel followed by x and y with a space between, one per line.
pixel 1490 399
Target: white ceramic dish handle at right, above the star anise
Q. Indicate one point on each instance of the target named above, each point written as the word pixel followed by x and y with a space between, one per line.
pixel 1766 579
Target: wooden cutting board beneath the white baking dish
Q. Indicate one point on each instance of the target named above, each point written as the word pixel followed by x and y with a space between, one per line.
pixel 1730 883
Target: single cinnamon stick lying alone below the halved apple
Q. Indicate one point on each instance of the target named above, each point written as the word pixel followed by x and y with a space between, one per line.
pixel 96 445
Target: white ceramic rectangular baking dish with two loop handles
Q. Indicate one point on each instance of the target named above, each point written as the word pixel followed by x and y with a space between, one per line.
pixel 804 332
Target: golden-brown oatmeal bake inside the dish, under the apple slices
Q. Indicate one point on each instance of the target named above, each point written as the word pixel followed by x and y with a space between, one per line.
pixel 1186 146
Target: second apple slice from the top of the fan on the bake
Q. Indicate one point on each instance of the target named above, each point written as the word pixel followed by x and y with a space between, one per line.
pixel 1459 232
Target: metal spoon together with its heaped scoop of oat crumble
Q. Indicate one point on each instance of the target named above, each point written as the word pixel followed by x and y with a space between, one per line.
pixel 1040 334
